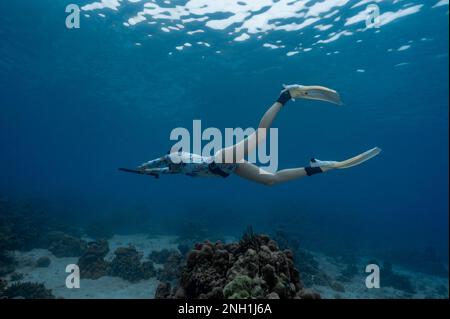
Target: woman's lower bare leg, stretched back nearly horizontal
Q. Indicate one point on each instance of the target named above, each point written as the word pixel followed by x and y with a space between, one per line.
pixel 256 174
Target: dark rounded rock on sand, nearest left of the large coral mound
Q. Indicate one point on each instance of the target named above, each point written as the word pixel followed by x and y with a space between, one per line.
pixel 127 265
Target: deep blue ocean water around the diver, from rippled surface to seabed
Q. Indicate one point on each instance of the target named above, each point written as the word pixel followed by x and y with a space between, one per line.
pixel 76 104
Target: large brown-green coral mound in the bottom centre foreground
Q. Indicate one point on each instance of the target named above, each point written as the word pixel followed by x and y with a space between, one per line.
pixel 253 268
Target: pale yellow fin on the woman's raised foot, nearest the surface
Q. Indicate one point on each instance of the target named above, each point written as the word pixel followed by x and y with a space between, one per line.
pixel 313 92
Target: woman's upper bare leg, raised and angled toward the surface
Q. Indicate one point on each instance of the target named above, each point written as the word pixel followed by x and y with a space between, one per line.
pixel 237 152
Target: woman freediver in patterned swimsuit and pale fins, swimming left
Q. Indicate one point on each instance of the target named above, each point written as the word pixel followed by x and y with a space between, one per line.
pixel 232 159
